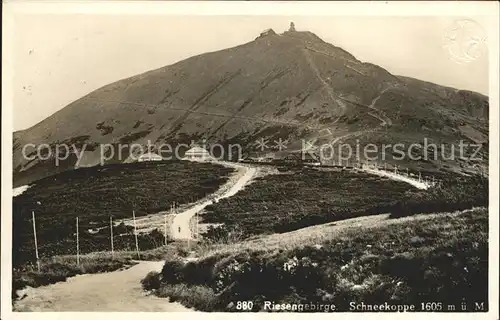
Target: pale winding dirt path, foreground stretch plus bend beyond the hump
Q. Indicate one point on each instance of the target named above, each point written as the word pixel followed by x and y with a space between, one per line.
pixel 121 290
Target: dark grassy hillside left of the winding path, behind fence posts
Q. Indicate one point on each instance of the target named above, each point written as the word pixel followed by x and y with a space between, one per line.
pixel 95 194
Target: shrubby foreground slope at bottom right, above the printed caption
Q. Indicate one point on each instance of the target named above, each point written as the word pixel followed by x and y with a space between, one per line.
pixel 442 259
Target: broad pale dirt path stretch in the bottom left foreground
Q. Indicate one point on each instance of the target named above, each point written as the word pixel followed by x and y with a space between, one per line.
pixel 113 291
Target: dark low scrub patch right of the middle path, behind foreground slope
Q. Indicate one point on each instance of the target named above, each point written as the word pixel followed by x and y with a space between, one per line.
pixel 294 200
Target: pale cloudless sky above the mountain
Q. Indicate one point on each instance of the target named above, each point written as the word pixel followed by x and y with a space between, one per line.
pixel 59 58
